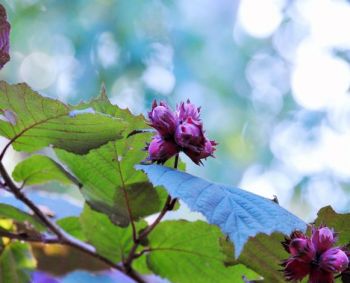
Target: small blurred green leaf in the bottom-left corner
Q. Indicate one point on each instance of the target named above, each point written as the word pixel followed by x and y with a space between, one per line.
pixel 15 263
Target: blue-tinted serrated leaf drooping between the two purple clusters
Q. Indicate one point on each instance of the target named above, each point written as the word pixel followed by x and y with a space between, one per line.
pixel 239 214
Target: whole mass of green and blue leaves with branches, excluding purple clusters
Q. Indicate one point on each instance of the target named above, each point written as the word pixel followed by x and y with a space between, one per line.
pixel 92 149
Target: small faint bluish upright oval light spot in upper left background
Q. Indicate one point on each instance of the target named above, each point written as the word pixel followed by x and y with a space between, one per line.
pixel 107 50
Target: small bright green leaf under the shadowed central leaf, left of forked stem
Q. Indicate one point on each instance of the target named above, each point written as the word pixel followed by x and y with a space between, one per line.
pixel 109 240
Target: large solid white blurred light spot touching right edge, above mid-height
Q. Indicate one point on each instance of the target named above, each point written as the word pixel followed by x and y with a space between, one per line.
pixel 318 79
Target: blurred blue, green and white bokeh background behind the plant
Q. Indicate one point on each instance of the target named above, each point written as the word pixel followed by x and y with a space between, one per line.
pixel 272 77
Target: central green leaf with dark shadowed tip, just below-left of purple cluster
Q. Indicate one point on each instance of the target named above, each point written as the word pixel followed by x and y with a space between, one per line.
pixel 109 178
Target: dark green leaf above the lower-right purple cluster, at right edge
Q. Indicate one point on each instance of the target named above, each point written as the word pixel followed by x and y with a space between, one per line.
pixel 339 222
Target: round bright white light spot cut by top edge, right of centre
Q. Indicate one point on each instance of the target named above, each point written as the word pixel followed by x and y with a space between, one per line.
pixel 260 18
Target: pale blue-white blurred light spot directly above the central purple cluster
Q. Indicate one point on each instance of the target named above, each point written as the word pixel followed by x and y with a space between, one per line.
pixel 159 79
